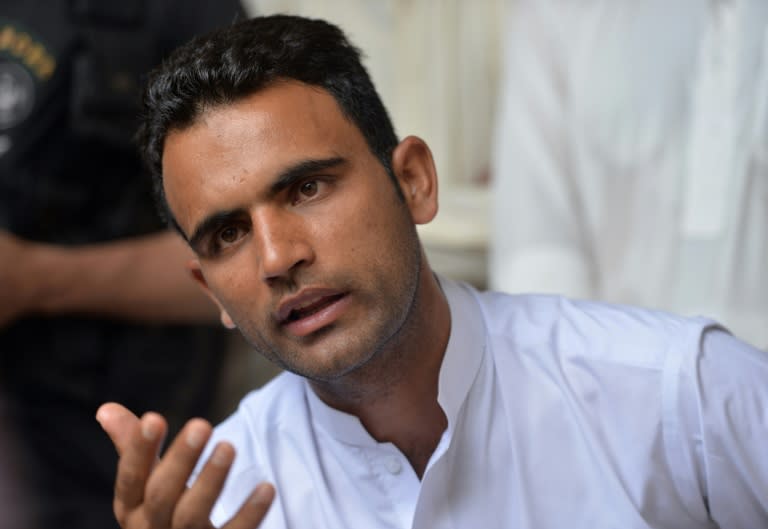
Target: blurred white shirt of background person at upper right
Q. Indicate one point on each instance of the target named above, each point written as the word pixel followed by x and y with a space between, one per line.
pixel 631 158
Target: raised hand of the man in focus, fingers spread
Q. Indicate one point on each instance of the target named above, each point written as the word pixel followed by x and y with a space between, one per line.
pixel 152 492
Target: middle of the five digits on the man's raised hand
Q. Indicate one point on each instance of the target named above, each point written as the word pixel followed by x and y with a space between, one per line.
pixel 169 479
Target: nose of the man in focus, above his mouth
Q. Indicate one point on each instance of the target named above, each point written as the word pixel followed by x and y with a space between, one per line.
pixel 282 241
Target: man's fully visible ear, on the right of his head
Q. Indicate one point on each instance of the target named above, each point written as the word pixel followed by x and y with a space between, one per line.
pixel 415 170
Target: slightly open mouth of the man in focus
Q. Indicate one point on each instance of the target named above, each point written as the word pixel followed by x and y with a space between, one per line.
pixel 312 311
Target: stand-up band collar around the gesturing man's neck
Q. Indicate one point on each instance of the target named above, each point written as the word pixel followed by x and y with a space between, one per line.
pixel 461 362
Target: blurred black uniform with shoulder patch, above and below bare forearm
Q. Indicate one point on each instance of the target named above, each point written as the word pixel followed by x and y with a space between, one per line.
pixel 70 76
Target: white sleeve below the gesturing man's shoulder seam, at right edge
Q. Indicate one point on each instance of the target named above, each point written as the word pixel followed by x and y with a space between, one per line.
pixel 723 416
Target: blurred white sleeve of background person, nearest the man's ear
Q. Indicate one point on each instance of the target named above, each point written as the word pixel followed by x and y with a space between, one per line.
pixel 539 239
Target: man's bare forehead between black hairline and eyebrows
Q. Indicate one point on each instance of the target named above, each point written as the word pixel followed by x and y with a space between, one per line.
pixel 251 141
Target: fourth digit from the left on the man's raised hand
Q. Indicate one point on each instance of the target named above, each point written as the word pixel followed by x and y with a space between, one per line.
pixel 197 502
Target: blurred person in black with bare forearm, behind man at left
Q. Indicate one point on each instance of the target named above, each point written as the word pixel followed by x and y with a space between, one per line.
pixel 96 301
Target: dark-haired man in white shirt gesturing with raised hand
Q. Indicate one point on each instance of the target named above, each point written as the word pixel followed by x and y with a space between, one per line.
pixel 410 400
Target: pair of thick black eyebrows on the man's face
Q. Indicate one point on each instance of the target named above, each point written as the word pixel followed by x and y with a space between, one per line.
pixel 284 180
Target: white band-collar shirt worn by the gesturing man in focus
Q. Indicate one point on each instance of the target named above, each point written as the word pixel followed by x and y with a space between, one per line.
pixel 560 414
